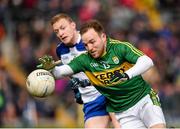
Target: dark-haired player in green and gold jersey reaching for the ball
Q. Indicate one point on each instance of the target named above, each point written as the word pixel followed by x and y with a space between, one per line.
pixel 115 69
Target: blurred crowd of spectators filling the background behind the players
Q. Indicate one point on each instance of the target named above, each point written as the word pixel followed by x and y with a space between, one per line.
pixel 26 34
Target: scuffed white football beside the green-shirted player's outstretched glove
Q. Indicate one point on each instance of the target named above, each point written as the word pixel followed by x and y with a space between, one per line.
pixel 40 83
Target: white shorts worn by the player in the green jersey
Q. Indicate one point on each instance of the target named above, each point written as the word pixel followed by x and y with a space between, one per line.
pixel 144 114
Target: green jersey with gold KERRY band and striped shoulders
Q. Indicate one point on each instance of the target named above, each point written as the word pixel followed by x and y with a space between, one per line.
pixel 120 56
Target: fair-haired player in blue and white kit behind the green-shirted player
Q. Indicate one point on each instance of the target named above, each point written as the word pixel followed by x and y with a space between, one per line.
pixel 71 46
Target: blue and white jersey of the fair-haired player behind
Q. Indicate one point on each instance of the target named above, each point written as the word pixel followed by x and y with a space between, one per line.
pixel 66 54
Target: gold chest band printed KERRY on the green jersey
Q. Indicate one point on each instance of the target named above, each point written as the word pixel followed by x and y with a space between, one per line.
pixel 103 78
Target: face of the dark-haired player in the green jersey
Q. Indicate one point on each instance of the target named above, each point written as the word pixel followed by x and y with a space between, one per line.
pixel 94 43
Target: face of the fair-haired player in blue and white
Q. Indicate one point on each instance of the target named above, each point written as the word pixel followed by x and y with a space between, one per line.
pixel 65 31
